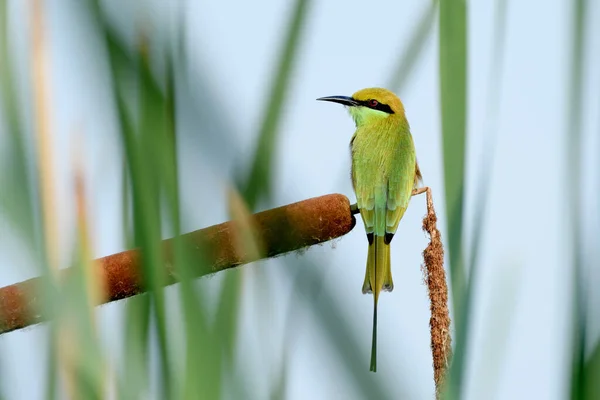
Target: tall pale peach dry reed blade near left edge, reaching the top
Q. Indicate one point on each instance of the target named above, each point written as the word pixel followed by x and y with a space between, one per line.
pixel 45 228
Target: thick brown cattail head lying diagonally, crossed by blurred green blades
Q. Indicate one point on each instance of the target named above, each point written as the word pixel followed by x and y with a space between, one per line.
pixel 279 230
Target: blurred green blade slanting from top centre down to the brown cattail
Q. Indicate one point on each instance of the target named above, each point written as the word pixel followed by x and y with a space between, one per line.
pixel 258 183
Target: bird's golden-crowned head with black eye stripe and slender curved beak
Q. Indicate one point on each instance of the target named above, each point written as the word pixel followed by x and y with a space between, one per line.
pixel 371 105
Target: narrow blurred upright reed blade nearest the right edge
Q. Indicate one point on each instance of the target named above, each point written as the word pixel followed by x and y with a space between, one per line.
pixel 571 181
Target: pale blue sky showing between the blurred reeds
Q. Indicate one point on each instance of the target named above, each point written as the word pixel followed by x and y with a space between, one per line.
pixel 524 280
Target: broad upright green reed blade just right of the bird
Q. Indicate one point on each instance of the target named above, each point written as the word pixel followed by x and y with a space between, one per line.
pixel 453 91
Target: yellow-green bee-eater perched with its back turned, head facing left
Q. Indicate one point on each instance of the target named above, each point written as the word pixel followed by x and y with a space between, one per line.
pixel 384 174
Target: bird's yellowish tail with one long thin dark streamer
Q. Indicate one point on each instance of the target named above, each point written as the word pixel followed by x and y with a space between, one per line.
pixel 377 278
